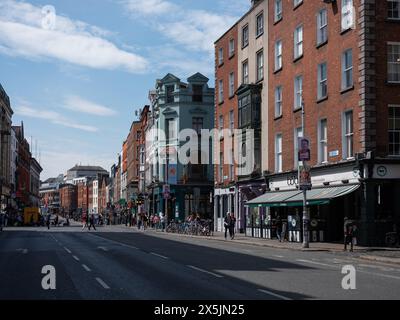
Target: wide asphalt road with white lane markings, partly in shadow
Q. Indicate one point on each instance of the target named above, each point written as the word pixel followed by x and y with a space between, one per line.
pixel 136 265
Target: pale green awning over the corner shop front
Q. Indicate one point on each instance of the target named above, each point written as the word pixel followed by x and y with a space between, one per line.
pixel 317 196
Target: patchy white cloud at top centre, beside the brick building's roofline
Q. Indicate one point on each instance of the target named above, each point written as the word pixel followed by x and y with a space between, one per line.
pixel 194 29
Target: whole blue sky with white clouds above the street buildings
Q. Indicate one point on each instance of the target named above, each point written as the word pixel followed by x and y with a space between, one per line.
pixel 77 70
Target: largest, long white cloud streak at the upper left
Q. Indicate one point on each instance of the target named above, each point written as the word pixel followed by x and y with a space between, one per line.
pixel 70 41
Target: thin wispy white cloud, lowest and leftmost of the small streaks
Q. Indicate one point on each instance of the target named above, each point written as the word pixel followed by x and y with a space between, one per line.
pixel 53 117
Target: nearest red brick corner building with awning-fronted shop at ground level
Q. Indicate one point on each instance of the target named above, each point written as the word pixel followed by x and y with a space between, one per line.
pixel 339 62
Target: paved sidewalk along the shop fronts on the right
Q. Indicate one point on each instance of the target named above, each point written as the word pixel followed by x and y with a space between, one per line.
pixel 379 254
